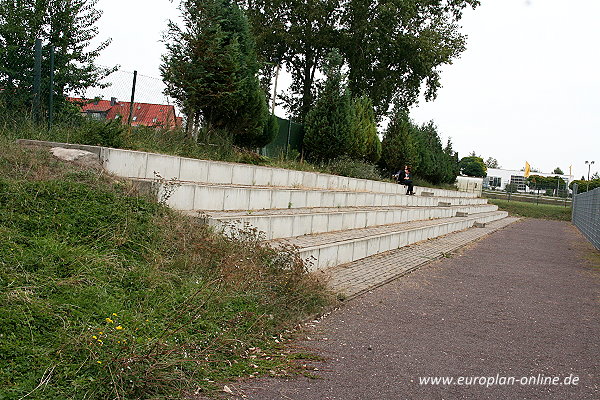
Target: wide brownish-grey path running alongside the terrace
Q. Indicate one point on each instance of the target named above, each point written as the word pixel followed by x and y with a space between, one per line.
pixel 523 302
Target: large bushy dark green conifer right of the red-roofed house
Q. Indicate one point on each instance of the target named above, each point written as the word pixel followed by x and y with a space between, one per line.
pixel 211 70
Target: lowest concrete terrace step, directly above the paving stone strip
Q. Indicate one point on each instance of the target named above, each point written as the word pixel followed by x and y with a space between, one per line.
pixel 333 248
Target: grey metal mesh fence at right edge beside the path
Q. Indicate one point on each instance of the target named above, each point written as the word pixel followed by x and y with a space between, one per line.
pixel 586 214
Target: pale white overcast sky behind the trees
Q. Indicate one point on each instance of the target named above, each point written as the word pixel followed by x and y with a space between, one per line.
pixel 527 88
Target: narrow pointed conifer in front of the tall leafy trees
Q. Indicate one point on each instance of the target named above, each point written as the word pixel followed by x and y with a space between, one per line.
pixel 328 123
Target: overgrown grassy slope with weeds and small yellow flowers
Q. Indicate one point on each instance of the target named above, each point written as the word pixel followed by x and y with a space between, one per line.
pixel 106 294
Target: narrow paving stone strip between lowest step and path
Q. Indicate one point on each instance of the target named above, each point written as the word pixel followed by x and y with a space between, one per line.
pixel 359 276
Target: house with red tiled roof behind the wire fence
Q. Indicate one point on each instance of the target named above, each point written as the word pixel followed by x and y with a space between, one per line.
pixel 144 114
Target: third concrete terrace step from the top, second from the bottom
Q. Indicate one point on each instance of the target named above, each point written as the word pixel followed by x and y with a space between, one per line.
pixel 304 221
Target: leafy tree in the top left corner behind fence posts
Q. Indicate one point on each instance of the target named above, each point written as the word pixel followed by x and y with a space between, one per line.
pixel 67 25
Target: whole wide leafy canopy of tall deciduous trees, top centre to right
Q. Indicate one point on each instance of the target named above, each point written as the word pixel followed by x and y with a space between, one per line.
pixel 391 47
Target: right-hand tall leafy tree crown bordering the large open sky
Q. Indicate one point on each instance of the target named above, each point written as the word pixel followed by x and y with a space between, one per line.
pixel 396 47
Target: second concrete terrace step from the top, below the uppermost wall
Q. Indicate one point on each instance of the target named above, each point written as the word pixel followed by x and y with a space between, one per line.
pixel 196 196
